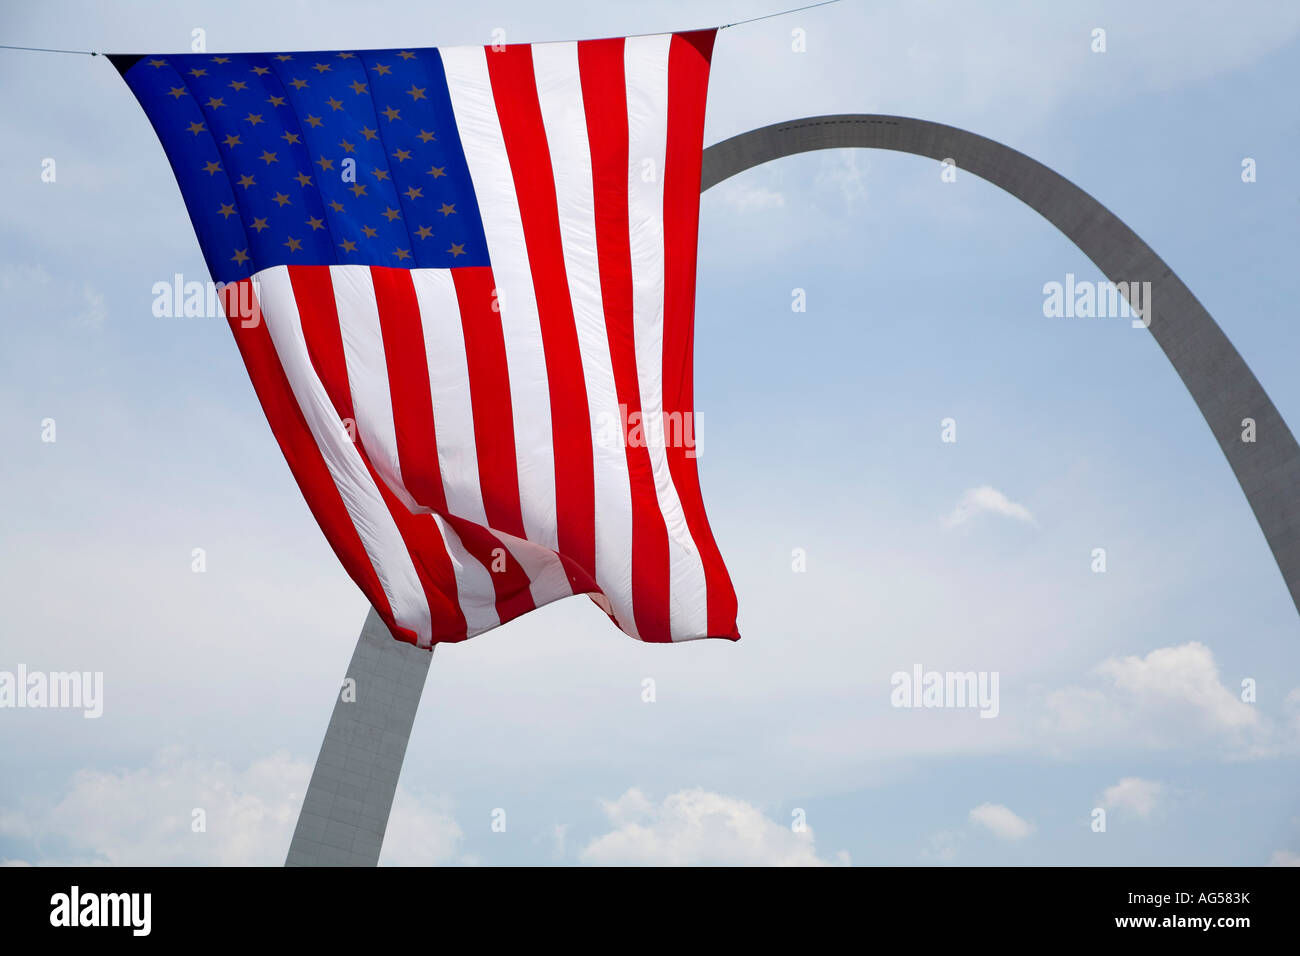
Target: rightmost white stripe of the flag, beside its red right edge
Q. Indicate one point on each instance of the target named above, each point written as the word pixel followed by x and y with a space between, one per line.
pixel 647 68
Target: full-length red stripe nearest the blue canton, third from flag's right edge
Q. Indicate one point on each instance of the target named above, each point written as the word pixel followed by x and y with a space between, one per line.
pixel 515 93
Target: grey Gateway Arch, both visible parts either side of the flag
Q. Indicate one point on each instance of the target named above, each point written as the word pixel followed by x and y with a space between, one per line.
pixel 346 807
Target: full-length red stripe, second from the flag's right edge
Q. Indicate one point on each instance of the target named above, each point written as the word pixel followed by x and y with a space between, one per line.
pixel 606 103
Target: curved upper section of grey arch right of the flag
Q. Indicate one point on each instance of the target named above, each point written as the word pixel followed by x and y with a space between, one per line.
pixel 1221 384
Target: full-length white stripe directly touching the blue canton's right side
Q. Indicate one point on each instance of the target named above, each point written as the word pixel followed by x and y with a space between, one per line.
pixel 499 206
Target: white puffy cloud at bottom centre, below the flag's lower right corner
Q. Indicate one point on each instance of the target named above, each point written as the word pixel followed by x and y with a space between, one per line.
pixel 699 828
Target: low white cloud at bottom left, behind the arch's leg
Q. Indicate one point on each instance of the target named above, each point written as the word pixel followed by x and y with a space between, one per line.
pixel 145 817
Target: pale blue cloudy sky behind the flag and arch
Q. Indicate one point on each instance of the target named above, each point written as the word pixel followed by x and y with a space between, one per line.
pixel 1164 691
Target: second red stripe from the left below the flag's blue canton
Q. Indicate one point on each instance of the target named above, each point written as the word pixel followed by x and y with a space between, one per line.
pixel 314 292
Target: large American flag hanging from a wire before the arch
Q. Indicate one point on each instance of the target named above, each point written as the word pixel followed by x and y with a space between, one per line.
pixel 463 284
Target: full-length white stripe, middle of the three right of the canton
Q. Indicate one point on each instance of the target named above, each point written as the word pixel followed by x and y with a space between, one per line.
pixel 560 90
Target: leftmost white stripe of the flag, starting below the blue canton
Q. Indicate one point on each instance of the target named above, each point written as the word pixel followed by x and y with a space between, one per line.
pixel 366 508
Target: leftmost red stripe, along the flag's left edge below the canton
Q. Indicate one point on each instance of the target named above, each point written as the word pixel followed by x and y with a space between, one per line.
pixel 301 452
